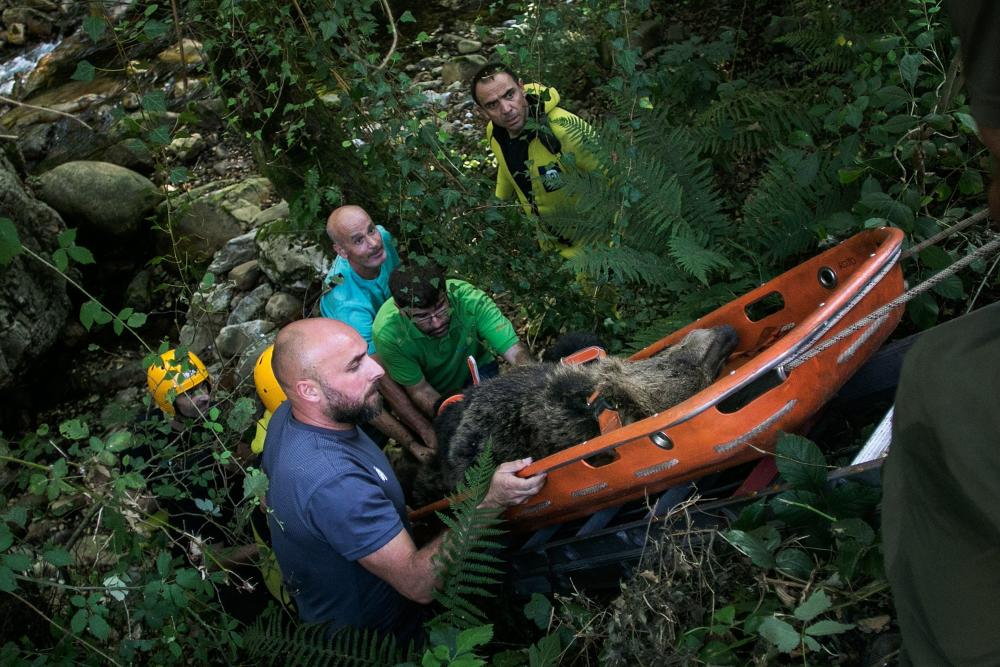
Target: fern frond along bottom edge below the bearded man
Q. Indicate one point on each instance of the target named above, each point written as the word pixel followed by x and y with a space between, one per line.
pixel 276 639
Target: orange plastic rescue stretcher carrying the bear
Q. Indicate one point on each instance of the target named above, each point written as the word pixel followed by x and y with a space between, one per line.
pixel 765 387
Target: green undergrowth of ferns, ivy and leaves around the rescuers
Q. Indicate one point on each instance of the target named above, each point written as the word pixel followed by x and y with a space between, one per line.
pixel 726 156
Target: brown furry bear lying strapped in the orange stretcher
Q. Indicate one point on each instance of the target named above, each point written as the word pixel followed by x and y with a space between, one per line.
pixel 535 410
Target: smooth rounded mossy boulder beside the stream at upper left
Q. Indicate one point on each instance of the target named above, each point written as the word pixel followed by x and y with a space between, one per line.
pixel 103 196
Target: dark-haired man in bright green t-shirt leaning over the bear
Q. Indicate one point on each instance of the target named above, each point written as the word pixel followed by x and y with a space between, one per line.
pixel 431 325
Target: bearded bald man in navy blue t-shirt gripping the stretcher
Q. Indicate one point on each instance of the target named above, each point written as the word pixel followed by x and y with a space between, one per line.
pixel 337 515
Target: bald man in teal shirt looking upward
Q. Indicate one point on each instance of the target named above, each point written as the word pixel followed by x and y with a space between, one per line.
pixel 359 285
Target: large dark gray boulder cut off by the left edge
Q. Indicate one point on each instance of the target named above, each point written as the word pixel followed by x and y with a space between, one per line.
pixel 33 300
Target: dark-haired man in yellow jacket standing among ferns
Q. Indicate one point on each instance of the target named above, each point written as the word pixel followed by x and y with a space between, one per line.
pixel 529 155
